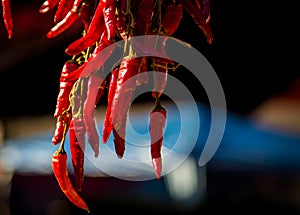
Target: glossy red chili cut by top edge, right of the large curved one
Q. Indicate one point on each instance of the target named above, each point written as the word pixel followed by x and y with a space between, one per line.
pixel 109 9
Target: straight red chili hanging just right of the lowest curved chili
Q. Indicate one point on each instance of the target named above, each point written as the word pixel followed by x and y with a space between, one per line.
pixel 77 146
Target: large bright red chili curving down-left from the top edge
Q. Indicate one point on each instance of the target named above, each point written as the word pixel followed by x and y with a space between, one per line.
pixel 94 32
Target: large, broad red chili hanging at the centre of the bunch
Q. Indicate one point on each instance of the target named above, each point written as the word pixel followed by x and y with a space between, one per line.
pixel 126 84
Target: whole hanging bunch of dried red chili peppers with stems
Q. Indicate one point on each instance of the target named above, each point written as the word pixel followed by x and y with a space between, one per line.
pixel 82 84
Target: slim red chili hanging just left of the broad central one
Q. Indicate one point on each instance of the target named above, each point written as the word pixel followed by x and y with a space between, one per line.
pixel 107 124
